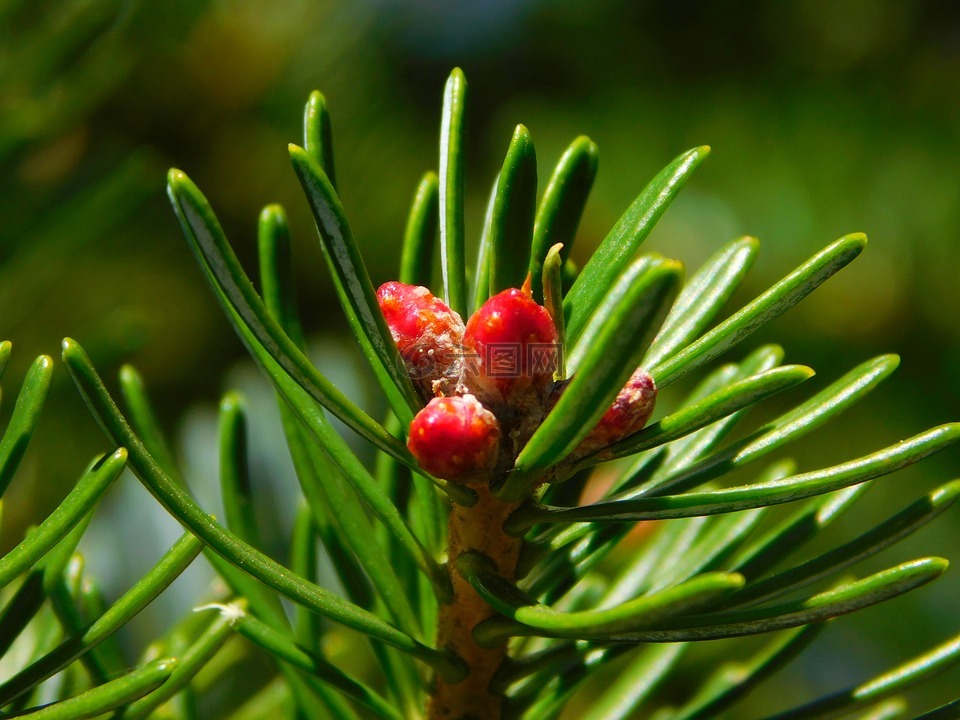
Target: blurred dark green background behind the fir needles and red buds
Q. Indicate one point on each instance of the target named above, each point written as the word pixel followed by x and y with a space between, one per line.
pixel 824 117
